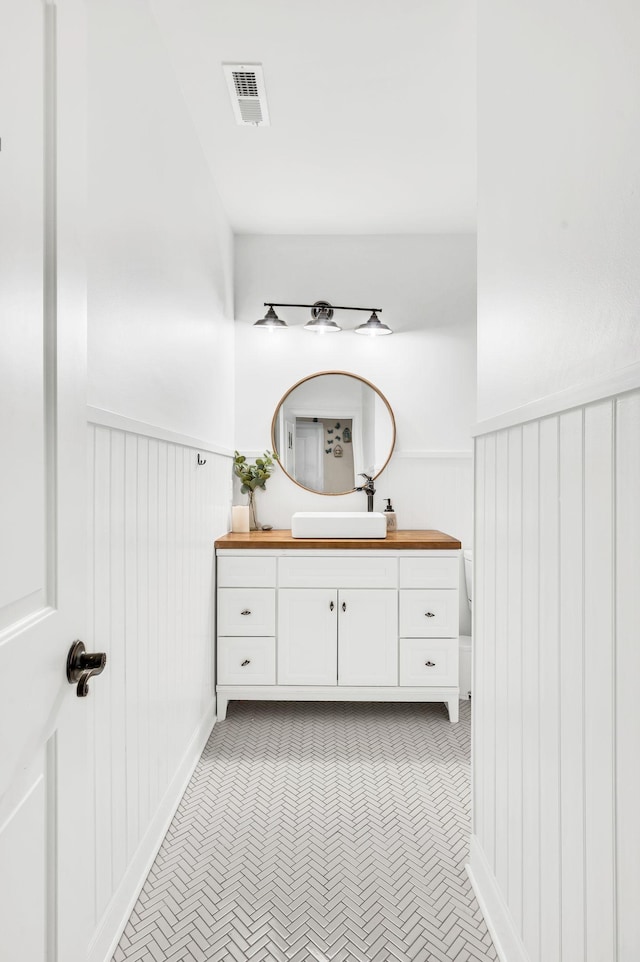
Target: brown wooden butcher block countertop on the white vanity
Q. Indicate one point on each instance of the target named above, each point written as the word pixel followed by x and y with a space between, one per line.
pixel 395 540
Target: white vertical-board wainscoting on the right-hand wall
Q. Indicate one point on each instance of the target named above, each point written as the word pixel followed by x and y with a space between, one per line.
pixel 557 661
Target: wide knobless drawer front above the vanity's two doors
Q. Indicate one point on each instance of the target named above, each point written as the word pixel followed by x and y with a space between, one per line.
pixel 337 572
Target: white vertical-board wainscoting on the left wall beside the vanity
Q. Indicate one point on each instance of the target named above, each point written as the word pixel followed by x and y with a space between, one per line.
pixel 155 516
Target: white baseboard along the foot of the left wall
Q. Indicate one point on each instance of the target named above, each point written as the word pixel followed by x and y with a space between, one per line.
pixel 113 922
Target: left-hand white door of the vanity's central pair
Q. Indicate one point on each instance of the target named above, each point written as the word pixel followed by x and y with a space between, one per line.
pixel 307 636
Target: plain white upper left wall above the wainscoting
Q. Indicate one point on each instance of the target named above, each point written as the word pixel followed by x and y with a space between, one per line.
pixel 160 248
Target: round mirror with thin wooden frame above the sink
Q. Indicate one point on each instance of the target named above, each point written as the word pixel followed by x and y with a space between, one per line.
pixel 329 428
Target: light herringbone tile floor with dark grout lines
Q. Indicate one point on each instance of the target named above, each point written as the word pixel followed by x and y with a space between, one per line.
pixel 318 832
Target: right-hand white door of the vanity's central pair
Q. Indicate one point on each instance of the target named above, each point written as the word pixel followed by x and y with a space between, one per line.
pixel 368 637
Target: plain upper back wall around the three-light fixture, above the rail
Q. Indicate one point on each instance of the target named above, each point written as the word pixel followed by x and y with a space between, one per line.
pixel 426 286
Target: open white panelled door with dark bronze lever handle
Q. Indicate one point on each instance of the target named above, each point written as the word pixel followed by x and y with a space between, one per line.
pixel 43 845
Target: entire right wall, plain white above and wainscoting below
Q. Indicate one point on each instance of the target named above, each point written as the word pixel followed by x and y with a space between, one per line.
pixel 556 717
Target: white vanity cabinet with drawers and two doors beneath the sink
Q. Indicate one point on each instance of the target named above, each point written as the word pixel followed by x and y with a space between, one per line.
pixel 336 624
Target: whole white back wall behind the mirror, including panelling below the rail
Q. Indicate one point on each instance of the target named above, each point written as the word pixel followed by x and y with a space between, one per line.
pixel 426 369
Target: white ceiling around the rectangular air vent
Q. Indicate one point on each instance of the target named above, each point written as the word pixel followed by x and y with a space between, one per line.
pixel 372 106
